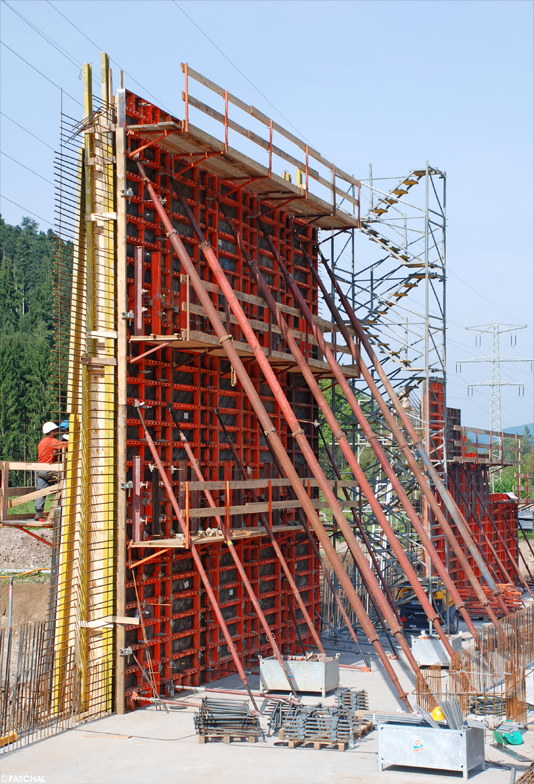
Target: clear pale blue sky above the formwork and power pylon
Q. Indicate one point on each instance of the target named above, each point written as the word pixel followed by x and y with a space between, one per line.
pixel 388 83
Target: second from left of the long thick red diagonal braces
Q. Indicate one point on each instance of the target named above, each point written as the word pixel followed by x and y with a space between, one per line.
pixel 297 433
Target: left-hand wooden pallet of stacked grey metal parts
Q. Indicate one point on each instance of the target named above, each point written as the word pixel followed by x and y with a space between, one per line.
pixel 226 719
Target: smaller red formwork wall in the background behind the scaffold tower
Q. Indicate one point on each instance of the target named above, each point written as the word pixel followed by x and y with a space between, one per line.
pixel 491 517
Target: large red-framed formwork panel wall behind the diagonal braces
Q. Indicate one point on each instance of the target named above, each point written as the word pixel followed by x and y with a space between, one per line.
pixel 183 639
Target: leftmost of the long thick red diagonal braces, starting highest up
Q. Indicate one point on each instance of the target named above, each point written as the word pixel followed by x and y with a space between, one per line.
pixel 270 432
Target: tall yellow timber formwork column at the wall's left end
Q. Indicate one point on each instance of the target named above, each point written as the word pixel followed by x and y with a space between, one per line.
pixel 86 556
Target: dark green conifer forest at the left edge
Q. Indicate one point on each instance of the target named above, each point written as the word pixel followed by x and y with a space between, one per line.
pixel 26 330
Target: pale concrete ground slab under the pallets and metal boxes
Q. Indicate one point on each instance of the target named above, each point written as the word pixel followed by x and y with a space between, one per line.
pixel 150 746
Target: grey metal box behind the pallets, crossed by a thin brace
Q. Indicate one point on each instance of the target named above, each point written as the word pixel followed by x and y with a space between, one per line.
pixel 305 674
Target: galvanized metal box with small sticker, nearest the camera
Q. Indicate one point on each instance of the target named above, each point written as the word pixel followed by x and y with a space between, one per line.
pixel 426 747
